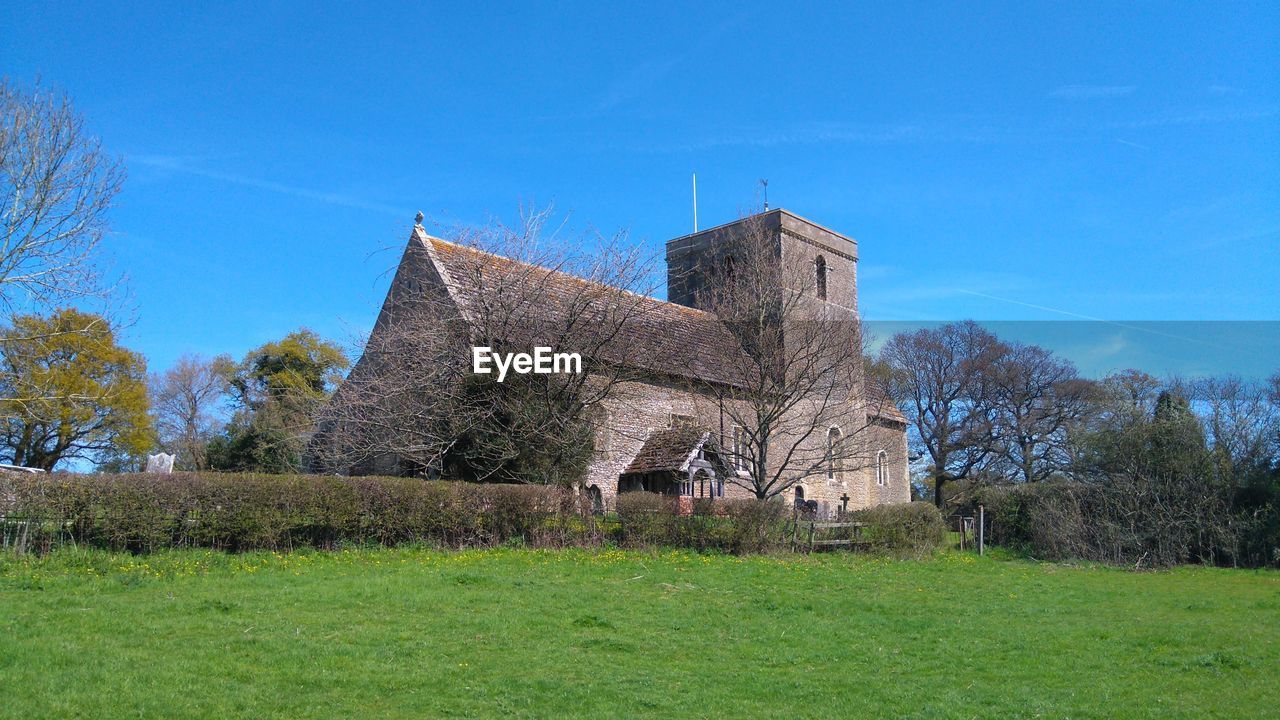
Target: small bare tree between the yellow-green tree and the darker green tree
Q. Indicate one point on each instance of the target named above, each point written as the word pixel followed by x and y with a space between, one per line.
pixel 186 402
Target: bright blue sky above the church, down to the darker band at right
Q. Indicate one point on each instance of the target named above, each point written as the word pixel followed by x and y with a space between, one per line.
pixel 1002 162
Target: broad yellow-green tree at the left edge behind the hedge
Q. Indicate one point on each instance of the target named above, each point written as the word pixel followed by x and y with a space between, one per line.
pixel 71 393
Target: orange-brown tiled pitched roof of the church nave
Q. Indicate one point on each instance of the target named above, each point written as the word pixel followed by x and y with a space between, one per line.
pixel 653 335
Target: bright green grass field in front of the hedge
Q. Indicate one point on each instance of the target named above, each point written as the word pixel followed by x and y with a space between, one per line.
pixel 418 634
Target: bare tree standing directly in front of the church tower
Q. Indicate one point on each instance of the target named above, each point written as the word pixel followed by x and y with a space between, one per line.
pixel 793 402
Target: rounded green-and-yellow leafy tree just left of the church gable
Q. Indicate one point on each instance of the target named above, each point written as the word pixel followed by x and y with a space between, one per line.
pixel 277 390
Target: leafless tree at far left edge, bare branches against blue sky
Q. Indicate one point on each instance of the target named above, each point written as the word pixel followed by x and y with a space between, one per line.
pixel 57 185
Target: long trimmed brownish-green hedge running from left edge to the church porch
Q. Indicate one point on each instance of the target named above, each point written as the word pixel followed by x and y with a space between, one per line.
pixel 237 513
